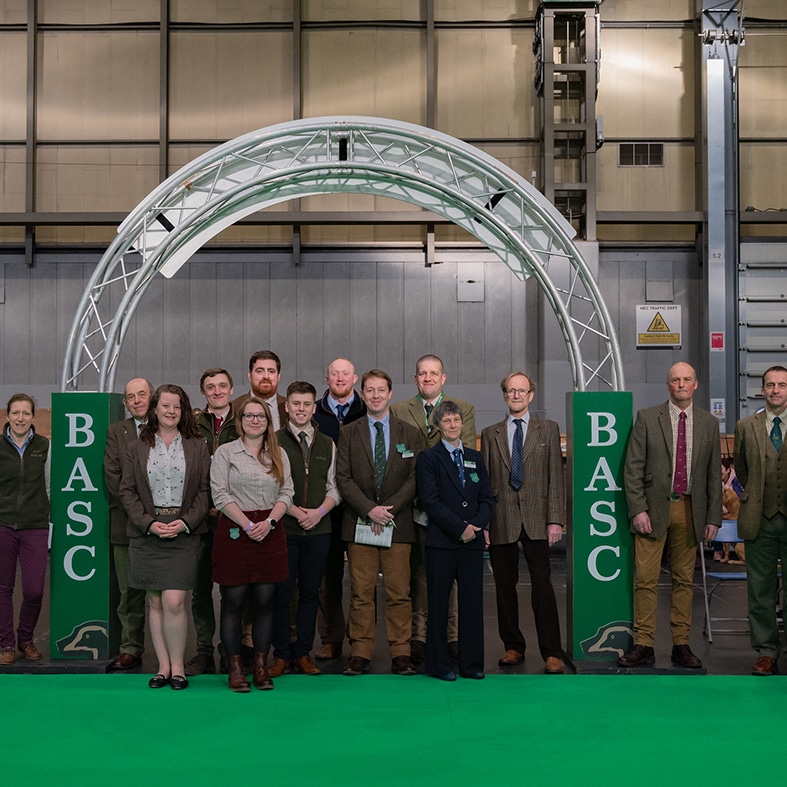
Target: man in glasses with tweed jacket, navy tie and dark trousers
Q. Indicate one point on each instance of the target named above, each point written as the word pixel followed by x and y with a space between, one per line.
pixel 525 464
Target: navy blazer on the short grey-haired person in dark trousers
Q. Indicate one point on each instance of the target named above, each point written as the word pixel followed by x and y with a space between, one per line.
pixel 449 505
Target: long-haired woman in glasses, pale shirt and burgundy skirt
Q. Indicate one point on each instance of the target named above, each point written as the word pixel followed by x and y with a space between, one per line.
pixel 252 487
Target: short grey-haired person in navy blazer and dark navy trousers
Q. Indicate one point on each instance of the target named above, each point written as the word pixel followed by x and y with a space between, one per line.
pixel 456 494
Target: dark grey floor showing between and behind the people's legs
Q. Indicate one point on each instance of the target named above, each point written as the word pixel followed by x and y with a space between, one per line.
pixel 729 654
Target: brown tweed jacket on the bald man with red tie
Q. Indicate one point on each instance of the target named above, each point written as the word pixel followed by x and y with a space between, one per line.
pixel 648 470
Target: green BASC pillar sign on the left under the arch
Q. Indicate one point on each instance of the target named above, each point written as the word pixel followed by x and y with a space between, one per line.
pixel 82 617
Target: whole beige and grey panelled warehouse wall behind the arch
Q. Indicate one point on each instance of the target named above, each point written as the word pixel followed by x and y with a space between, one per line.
pixel 361 290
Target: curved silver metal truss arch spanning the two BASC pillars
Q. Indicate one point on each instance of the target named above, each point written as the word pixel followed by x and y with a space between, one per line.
pixel 343 154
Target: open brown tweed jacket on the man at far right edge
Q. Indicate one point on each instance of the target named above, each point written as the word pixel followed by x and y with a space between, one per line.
pixel 751 443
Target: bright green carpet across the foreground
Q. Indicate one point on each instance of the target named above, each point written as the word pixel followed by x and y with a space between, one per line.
pixel 390 730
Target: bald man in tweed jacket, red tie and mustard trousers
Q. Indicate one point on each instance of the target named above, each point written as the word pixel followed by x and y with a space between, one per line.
pixel 673 487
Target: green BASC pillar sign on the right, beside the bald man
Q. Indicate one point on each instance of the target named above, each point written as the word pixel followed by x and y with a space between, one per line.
pixel 600 566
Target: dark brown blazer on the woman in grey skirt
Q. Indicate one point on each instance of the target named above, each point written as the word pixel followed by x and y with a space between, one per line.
pixel 137 499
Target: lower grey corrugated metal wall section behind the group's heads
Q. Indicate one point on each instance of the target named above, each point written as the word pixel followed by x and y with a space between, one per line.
pixel 380 308
